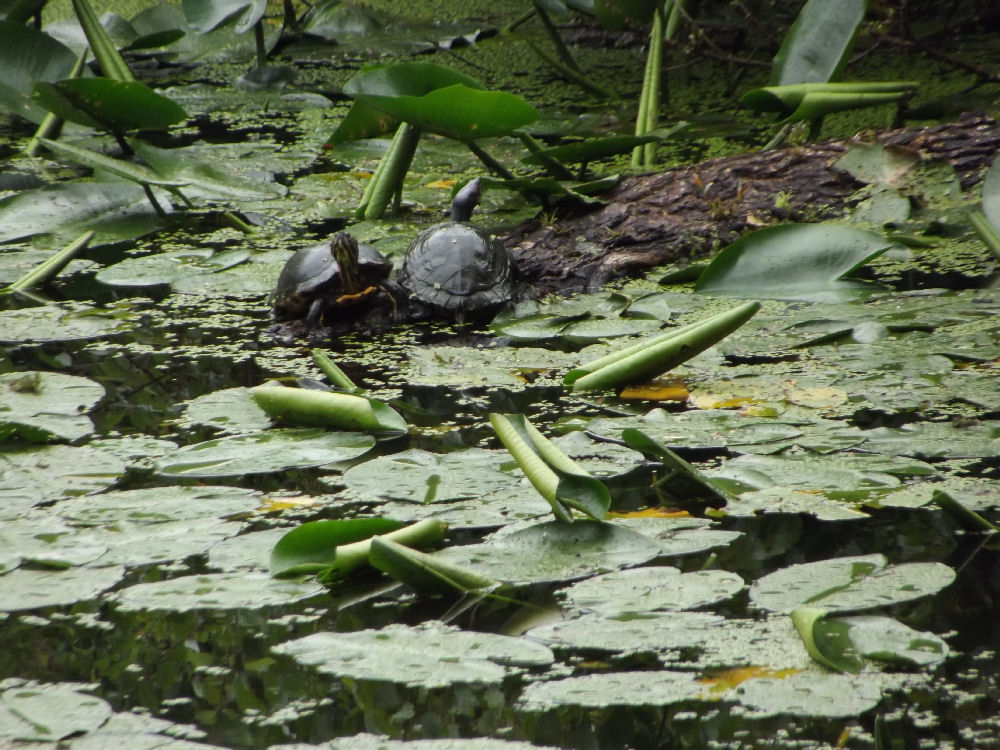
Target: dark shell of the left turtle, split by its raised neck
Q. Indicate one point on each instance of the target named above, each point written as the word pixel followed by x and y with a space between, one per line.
pixel 314 271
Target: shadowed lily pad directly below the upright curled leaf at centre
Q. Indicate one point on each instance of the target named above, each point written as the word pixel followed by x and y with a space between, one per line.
pixel 554 551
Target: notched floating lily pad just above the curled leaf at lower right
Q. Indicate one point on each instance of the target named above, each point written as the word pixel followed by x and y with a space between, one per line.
pixel 849 584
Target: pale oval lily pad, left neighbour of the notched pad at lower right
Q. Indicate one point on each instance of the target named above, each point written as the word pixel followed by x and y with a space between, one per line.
pixel 652 589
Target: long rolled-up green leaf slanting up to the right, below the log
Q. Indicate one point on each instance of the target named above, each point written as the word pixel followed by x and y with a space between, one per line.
pixel 661 353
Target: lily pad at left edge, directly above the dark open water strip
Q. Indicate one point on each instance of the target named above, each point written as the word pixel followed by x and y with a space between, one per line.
pixel 25 588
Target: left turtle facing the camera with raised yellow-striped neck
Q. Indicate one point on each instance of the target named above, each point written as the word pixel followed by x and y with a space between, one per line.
pixel 338 272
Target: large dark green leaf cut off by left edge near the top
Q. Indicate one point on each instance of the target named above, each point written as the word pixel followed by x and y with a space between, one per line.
pixel 26 57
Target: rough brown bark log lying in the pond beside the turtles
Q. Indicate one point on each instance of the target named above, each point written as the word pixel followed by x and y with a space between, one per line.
pixel 654 219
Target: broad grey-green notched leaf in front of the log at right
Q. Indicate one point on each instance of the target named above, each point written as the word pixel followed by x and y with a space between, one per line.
pixel 793 261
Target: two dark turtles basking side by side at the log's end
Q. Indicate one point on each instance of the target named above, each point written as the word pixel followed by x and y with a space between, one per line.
pixel 454 268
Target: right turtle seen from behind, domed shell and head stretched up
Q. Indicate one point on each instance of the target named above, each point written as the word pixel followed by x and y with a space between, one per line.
pixel 456 268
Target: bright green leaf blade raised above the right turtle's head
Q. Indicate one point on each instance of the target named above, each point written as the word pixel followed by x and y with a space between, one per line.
pixel 458 111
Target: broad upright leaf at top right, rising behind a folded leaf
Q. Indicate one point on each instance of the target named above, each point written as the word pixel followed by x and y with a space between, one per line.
pixel 815 48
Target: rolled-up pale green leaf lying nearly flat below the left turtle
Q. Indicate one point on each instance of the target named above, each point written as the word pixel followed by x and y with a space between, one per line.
pixel 326 409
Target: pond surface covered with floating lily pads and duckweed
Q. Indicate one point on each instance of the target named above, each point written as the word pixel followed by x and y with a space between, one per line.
pixel 834 446
